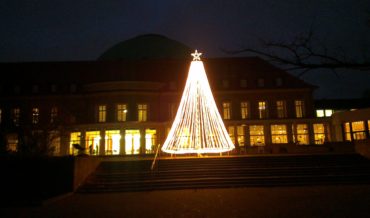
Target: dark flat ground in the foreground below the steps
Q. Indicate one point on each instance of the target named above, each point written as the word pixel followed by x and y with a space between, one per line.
pixel 312 201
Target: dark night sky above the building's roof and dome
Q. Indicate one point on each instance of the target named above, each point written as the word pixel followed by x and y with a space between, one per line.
pixel 44 30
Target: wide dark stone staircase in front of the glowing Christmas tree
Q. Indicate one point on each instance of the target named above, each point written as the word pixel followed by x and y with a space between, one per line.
pixel 225 172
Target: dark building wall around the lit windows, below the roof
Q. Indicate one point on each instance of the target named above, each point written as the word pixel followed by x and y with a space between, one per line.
pixel 78 112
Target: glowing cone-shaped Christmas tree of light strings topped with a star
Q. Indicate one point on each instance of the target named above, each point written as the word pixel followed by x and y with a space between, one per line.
pixel 198 127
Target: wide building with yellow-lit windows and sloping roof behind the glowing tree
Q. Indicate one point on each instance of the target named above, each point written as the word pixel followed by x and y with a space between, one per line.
pixel 126 106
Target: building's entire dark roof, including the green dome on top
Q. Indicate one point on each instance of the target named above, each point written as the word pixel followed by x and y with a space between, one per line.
pixel 147 58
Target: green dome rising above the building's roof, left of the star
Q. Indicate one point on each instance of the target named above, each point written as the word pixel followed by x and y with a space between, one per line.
pixel 150 46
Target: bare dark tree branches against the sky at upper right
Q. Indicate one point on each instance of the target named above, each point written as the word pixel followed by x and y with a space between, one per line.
pixel 305 53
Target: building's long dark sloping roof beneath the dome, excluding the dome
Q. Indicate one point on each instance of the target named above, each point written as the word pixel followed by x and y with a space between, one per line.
pixel 154 70
